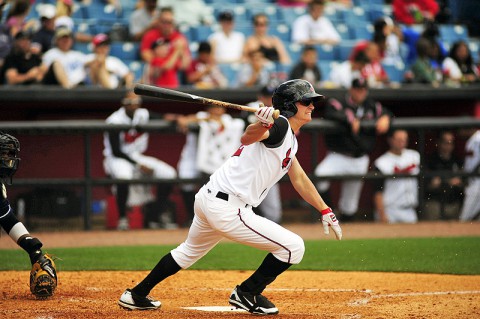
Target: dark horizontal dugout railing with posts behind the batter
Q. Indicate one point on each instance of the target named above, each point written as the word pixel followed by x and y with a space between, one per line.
pixel 87 128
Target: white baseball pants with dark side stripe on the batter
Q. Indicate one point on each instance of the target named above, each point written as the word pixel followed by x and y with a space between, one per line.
pixel 216 218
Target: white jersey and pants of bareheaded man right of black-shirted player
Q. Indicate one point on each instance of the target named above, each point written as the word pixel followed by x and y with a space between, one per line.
pixel 400 195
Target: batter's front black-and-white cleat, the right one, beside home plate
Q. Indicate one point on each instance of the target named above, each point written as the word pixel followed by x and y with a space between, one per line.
pixel 256 304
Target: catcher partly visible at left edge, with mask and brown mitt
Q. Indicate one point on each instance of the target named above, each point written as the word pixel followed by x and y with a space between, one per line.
pixel 43 276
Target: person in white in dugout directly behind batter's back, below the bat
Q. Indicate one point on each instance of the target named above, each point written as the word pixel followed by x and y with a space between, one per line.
pixel 206 150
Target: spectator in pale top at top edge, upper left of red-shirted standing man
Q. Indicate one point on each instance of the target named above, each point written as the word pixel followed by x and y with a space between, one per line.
pixel 143 19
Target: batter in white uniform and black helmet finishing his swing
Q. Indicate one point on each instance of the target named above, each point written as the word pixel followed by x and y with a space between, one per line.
pixel 223 206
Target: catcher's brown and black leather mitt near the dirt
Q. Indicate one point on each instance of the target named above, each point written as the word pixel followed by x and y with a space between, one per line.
pixel 43 277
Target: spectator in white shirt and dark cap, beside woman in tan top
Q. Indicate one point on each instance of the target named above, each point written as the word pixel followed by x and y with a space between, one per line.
pixel 227 44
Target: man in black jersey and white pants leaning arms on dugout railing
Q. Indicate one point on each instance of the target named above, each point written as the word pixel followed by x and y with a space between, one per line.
pixel 347 153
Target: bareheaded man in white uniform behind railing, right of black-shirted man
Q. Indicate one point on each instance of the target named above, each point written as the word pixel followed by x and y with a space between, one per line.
pixel 396 199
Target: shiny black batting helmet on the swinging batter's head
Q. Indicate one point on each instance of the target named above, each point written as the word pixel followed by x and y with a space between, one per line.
pixel 288 93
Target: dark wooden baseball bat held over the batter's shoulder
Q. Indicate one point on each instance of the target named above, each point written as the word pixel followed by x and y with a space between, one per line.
pixel 173 95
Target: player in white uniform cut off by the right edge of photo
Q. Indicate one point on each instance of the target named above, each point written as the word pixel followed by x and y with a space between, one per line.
pixel 471 204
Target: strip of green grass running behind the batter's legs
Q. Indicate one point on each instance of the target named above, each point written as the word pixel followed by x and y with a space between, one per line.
pixel 458 255
